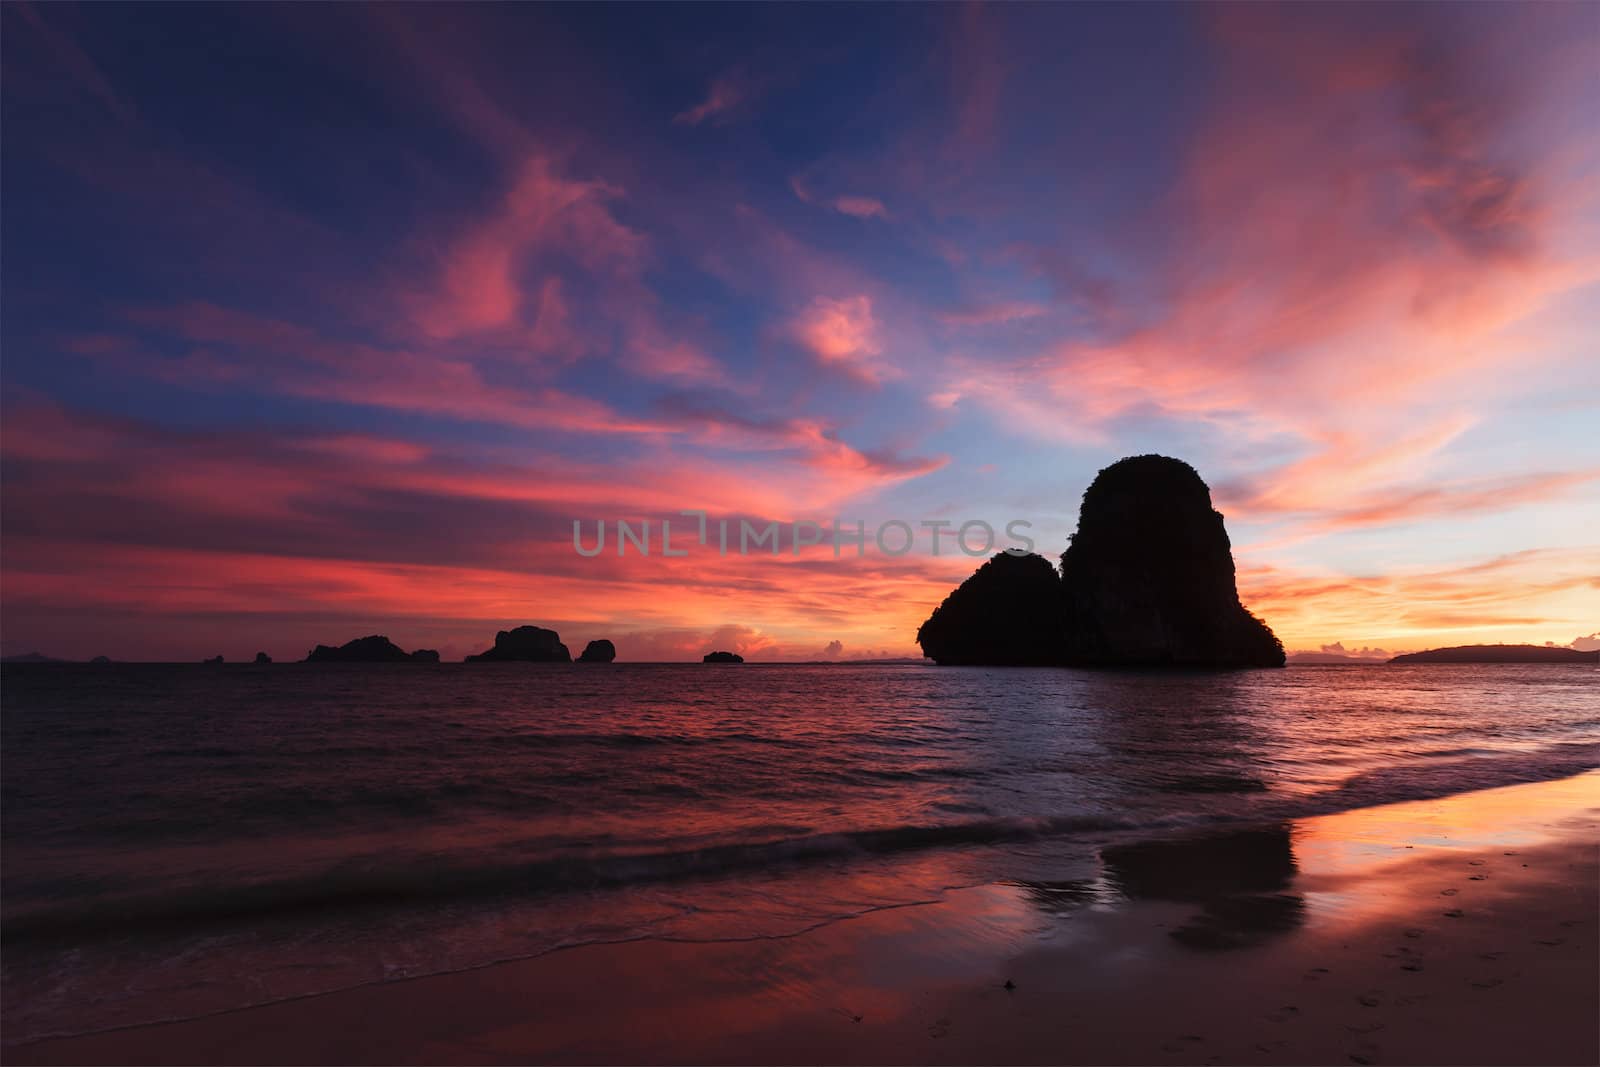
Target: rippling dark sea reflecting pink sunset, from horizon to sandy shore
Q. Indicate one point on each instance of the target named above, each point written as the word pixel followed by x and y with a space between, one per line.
pixel 182 841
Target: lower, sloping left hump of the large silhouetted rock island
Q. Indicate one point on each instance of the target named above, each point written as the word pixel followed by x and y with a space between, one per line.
pixel 1006 615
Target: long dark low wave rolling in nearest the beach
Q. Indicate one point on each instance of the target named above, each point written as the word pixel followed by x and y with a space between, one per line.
pixel 513 871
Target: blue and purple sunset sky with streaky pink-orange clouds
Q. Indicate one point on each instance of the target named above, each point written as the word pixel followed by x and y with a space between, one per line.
pixel 326 321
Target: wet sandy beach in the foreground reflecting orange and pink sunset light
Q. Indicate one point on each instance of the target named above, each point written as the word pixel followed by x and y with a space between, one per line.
pixel 1454 932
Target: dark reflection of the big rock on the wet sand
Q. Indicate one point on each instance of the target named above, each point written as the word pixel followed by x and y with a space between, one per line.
pixel 1238 881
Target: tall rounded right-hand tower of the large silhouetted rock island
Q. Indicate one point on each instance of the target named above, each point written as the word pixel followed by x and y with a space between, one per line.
pixel 1150 575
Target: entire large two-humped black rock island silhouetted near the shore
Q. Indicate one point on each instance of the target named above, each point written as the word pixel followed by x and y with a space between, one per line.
pixel 1148 581
